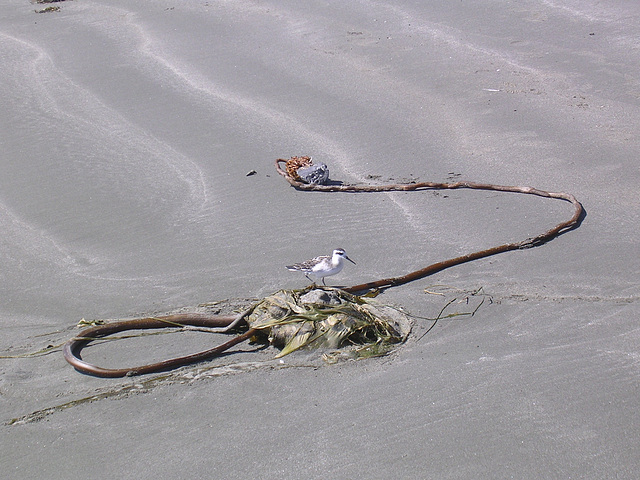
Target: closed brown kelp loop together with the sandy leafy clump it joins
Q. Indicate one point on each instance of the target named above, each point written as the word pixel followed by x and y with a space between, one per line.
pixel 319 317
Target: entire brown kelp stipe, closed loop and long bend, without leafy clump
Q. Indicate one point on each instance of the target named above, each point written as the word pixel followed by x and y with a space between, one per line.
pixel 227 323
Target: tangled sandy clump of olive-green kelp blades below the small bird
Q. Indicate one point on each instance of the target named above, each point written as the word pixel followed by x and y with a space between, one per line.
pixel 328 318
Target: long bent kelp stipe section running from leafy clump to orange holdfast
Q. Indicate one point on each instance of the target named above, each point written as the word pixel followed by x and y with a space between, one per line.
pixel 544 237
